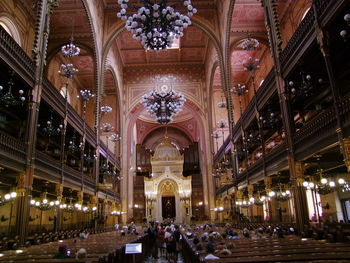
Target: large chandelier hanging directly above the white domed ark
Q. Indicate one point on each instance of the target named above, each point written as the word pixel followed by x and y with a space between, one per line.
pixel 164 105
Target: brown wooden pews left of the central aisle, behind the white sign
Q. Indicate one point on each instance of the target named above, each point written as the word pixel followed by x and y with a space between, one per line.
pixel 106 247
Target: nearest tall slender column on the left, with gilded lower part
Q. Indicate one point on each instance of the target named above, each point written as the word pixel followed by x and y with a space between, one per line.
pixel 25 182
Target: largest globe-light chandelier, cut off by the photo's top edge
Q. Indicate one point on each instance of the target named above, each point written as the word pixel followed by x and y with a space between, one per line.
pixel 156 24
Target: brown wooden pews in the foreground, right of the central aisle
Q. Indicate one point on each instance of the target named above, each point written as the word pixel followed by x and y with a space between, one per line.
pixel 267 248
